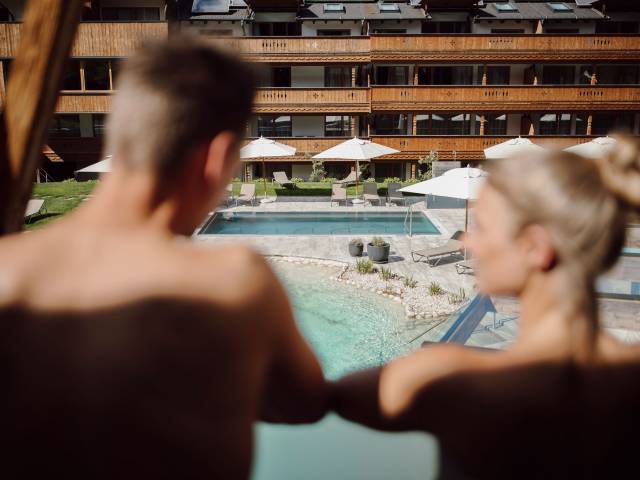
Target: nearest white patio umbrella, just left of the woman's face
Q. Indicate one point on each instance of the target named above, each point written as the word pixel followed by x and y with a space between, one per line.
pixel 463 183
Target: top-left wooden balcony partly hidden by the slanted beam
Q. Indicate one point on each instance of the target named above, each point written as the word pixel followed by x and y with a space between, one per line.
pixel 94 39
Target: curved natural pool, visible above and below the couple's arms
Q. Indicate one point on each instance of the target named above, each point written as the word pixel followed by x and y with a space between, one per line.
pixel 348 329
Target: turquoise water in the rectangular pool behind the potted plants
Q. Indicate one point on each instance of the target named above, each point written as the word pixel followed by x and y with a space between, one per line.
pixel 315 223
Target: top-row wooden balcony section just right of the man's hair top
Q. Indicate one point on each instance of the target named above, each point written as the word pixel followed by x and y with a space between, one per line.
pixel 298 49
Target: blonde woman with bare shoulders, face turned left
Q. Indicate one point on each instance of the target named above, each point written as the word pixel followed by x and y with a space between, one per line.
pixel 564 400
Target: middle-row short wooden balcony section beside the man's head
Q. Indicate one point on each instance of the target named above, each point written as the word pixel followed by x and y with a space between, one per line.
pixel 312 100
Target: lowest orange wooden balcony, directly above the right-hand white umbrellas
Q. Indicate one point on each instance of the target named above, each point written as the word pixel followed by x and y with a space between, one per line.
pixel 465 147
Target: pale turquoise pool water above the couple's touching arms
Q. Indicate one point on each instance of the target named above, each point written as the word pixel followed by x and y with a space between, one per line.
pixel 348 328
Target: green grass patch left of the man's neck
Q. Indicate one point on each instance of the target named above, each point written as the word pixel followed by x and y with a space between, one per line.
pixel 59 199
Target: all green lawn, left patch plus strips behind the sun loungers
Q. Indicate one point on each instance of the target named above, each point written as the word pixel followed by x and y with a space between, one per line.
pixel 62 197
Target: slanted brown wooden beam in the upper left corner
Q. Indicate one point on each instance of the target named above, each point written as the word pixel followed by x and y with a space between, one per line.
pixel 36 74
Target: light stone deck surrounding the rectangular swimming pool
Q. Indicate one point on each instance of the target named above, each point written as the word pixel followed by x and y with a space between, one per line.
pixel 335 247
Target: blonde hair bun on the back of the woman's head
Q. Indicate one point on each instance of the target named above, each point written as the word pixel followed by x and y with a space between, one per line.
pixel 620 171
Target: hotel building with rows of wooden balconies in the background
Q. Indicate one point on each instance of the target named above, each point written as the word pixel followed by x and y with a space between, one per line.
pixel 427 77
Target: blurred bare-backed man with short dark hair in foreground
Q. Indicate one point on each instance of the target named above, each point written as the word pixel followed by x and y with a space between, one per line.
pixel 126 350
